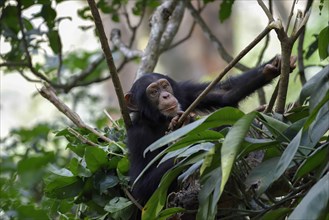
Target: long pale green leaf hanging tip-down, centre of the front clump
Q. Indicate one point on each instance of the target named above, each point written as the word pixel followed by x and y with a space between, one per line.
pixel 232 143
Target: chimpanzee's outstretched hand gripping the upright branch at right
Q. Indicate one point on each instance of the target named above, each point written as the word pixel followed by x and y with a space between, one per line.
pixel 271 70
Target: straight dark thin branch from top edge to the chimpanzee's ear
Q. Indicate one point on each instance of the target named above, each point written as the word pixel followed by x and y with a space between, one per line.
pixel 110 62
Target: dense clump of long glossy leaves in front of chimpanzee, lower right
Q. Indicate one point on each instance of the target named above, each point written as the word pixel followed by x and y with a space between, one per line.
pixel 294 149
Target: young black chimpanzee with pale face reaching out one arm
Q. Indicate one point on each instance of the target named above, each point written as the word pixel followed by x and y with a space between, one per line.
pixel 156 99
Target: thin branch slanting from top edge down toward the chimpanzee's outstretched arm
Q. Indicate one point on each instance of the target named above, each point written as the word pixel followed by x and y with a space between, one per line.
pixel 206 30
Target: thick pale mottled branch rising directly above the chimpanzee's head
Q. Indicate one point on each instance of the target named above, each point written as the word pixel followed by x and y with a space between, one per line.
pixel 158 24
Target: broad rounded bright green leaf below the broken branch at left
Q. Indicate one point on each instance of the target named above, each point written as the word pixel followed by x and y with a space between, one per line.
pixel 95 158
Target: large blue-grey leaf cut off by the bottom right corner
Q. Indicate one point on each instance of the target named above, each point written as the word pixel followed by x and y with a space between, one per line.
pixel 315 202
